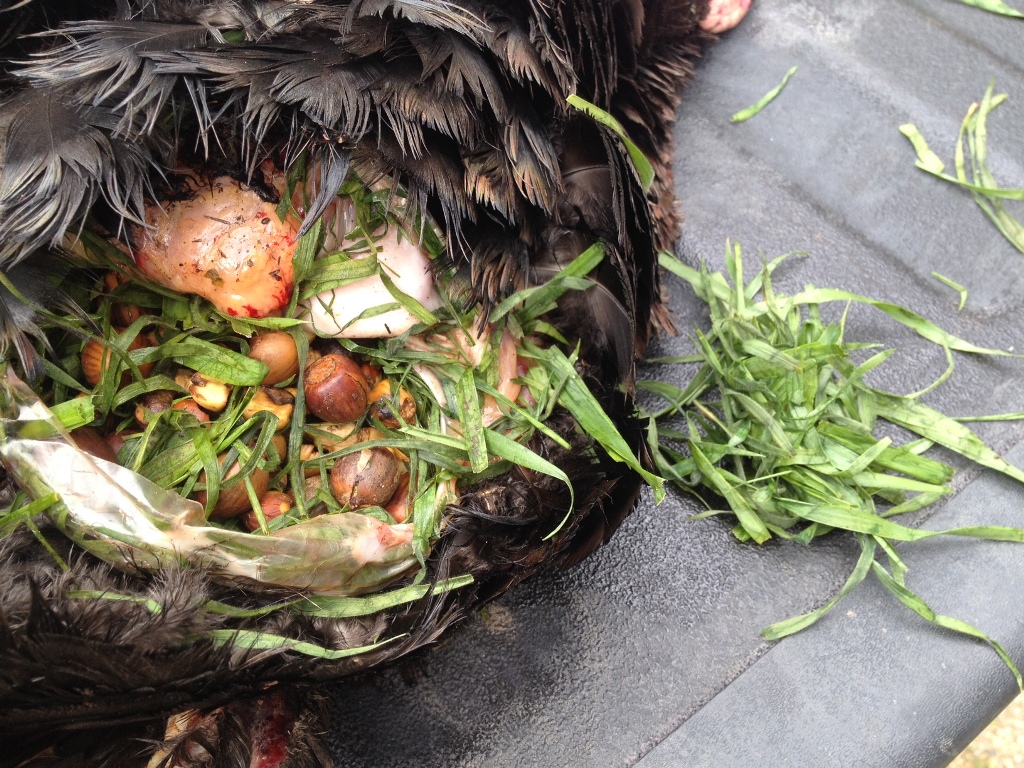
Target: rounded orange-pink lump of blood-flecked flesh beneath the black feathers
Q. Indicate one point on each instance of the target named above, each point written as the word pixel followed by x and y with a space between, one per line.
pixel 225 244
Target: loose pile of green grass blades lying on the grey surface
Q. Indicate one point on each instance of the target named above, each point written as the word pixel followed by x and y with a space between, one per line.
pixel 780 423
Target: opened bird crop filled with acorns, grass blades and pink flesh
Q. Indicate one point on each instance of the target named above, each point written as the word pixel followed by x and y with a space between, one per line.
pixel 296 411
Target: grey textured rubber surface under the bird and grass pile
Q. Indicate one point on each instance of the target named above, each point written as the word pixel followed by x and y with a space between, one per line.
pixel 650 652
